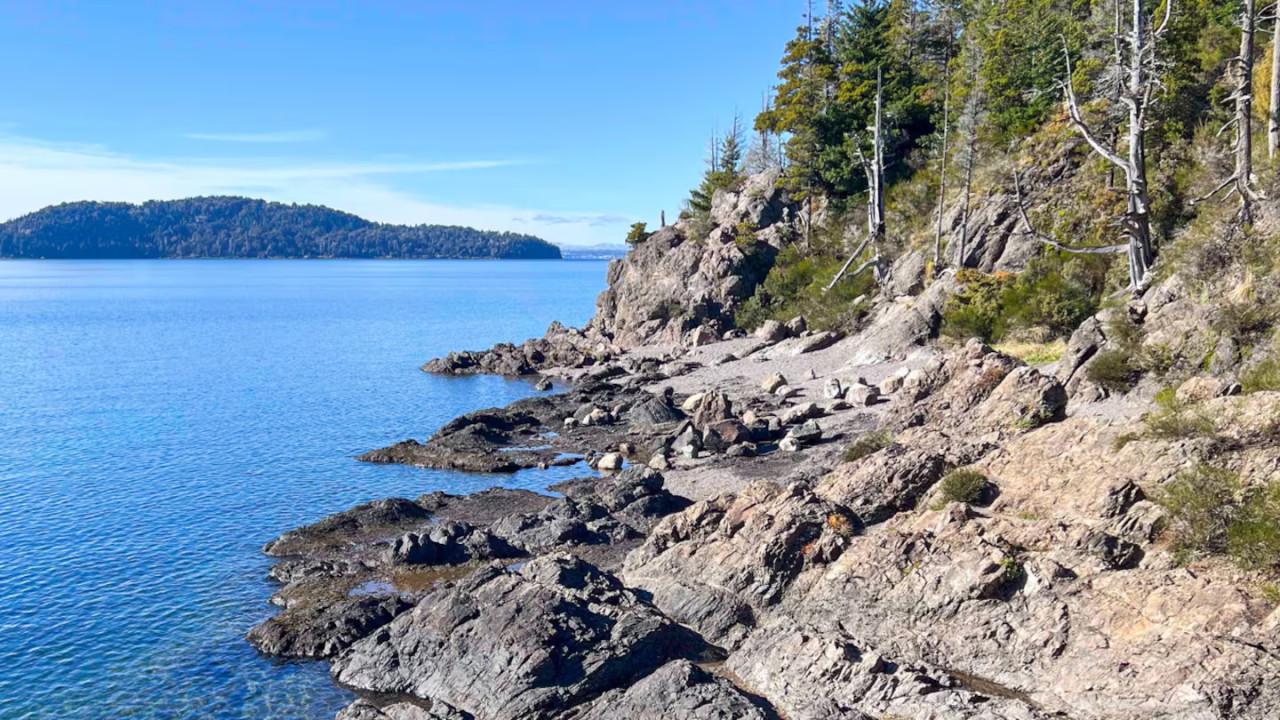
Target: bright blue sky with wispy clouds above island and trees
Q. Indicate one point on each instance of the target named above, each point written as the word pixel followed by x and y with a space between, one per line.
pixel 568 120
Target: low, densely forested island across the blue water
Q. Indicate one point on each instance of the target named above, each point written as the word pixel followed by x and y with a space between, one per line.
pixel 240 227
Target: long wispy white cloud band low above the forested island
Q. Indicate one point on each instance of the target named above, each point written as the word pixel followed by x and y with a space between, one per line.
pixel 35 175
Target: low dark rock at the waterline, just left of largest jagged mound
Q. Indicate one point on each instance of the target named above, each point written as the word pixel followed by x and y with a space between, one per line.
pixel 322 631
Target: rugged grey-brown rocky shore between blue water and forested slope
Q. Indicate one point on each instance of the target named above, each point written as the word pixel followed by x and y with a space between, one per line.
pixel 766 532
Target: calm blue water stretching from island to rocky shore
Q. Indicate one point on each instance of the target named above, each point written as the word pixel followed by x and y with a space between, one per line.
pixel 161 421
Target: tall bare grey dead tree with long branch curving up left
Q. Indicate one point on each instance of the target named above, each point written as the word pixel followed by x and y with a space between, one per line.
pixel 1142 80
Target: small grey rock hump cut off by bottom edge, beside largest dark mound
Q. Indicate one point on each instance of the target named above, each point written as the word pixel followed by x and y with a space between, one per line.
pixel 680 691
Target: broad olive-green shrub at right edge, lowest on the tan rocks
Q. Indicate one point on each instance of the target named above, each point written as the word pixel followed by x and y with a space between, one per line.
pixel 1214 514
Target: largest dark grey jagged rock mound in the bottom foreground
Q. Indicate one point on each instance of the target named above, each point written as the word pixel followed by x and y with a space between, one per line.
pixel 513 645
